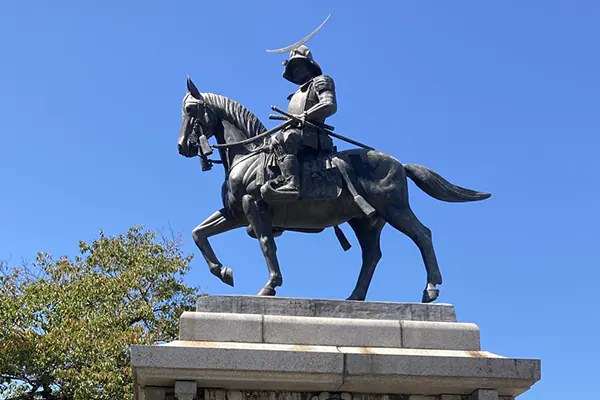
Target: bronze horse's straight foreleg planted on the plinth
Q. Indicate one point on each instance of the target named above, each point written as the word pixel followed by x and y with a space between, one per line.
pixel 262 224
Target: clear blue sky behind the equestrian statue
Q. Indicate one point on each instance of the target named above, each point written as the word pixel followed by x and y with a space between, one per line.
pixel 496 96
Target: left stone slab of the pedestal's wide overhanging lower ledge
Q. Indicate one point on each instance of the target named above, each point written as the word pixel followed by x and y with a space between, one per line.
pixel 239 365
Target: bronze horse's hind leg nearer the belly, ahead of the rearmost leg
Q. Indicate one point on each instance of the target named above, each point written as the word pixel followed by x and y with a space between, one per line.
pixel 368 233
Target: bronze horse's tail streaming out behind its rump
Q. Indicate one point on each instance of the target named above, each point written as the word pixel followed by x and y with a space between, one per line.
pixel 439 188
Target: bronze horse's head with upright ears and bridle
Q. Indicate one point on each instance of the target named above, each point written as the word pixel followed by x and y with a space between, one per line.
pixel 198 123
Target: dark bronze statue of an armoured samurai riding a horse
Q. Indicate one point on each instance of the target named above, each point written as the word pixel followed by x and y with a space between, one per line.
pixel 297 181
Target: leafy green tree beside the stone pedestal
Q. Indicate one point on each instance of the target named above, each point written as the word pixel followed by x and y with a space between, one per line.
pixel 66 324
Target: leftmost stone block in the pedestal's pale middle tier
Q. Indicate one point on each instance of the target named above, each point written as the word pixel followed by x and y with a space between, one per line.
pixel 221 327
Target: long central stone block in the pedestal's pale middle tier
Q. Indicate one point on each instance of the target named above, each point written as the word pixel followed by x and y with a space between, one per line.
pixel 331 331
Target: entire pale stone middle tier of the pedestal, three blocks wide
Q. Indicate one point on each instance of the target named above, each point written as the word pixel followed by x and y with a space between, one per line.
pixel 278 329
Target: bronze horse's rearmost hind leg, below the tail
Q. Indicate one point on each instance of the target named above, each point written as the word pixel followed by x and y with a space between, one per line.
pixel 404 220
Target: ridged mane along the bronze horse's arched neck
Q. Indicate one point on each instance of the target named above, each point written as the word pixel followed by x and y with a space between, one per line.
pixel 235 113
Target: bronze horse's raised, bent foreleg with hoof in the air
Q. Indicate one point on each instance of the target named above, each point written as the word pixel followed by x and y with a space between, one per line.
pixel 214 225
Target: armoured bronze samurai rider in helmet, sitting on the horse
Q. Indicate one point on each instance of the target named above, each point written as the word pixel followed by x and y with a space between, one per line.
pixel 314 101
